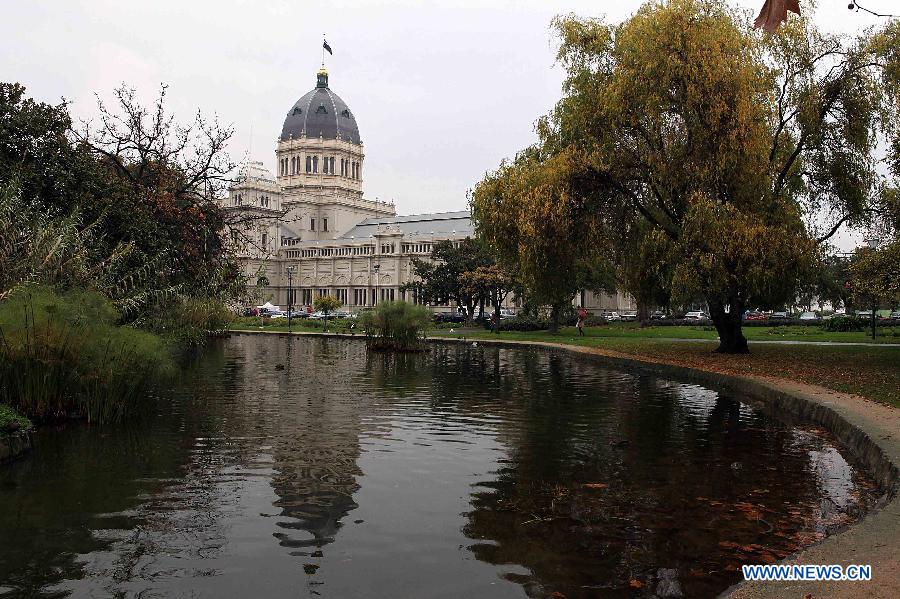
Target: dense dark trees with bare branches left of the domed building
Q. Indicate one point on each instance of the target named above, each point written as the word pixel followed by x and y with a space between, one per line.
pixel 128 210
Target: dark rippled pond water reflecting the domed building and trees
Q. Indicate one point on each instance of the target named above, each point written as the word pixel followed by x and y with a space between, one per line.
pixel 469 472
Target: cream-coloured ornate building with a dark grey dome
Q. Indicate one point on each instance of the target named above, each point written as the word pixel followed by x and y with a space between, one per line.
pixel 312 222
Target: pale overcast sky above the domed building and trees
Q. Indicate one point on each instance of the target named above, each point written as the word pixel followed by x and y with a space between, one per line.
pixel 442 90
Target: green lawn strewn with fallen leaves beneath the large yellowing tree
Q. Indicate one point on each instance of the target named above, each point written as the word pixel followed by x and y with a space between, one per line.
pixel 872 372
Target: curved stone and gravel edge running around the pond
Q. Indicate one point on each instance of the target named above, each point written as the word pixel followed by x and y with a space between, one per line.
pixel 869 430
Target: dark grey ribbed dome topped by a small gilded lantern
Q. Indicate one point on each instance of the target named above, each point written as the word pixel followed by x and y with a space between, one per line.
pixel 321 113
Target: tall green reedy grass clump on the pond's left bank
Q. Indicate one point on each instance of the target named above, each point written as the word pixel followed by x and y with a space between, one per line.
pixel 62 355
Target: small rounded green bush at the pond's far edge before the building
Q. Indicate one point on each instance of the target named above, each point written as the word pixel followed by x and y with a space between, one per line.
pixel 395 326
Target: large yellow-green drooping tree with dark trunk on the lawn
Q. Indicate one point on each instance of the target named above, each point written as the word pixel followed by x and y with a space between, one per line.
pixel 745 150
